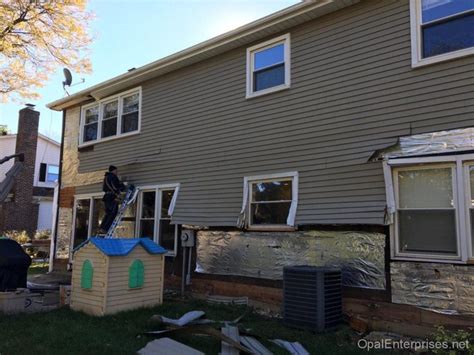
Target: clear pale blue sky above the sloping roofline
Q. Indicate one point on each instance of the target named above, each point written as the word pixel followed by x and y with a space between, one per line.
pixel 130 34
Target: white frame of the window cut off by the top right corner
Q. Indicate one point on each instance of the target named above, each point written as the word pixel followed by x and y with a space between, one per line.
pixel 417 40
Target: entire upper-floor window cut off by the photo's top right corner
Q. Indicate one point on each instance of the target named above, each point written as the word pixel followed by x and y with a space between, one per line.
pixel 441 30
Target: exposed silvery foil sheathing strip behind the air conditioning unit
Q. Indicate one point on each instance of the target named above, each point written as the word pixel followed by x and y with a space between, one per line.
pixel 263 255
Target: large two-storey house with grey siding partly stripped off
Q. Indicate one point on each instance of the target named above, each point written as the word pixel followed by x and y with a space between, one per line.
pixel 331 132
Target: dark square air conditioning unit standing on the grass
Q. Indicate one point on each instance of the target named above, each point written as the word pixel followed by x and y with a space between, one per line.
pixel 312 297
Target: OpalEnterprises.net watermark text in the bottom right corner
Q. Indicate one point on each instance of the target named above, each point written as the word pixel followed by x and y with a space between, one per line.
pixel 400 344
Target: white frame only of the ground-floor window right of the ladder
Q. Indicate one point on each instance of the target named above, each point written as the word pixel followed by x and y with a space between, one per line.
pixel 158 189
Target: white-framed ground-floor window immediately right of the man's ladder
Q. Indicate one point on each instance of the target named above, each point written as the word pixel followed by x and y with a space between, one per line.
pixel 156 205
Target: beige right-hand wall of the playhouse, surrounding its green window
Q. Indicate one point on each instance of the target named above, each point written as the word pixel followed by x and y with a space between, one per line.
pixel 119 296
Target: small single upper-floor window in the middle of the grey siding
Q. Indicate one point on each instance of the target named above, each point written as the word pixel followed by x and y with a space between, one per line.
pixel 268 66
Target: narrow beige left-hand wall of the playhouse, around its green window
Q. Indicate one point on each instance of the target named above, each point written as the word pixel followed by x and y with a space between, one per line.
pixel 89 301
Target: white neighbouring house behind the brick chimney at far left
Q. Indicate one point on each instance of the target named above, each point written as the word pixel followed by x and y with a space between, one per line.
pixel 46 172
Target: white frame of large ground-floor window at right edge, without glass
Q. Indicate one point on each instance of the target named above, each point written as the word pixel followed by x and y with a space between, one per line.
pixel 461 197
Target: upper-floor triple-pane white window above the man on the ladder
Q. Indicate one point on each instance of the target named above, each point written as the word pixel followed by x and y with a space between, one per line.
pixel 112 117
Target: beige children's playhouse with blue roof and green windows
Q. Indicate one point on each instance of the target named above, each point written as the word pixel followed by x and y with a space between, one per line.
pixel 126 274
